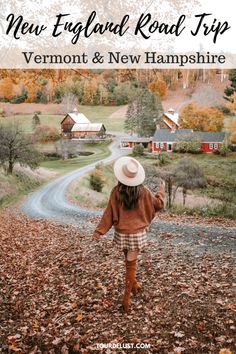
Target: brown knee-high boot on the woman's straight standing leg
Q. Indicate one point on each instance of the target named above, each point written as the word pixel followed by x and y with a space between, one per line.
pixel 129 282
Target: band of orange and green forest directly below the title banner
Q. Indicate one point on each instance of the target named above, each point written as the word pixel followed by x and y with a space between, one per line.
pixel 97 87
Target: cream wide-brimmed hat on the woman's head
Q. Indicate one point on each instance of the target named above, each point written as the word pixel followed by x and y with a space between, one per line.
pixel 129 171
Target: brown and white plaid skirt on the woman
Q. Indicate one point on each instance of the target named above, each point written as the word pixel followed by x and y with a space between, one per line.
pixel 130 241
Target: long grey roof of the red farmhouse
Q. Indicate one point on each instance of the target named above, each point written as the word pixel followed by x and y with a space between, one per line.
pixel 165 135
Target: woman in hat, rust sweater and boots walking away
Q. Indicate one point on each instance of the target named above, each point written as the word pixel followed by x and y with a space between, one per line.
pixel 130 209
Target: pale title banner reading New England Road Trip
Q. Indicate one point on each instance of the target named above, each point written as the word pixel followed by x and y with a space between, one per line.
pixel 117 34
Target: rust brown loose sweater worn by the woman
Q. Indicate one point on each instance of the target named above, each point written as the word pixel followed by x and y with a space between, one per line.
pixel 134 220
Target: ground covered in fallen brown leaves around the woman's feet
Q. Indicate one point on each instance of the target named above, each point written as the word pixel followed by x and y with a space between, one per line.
pixel 61 293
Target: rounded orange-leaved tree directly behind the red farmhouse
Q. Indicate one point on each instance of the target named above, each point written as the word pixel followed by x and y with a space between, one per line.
pixel 201 118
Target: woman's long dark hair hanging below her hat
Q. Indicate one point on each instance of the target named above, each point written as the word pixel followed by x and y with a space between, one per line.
pixel 129 196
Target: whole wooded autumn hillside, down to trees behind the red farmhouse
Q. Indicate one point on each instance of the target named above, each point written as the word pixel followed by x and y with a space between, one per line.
pixel 204 98
